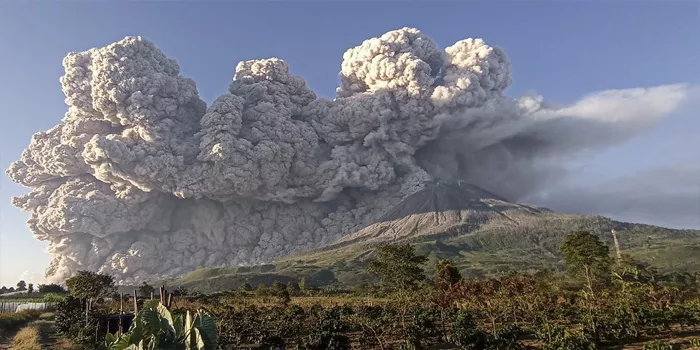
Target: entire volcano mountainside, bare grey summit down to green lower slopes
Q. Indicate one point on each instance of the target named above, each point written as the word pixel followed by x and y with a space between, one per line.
pixel 481 232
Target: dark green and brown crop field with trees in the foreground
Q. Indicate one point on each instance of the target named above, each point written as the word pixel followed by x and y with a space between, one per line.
pixel 602 303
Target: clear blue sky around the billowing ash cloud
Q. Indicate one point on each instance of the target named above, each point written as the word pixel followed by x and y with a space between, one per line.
pixel 562 50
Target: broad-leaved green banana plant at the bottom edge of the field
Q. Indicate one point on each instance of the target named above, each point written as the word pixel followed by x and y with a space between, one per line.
pixel 155 327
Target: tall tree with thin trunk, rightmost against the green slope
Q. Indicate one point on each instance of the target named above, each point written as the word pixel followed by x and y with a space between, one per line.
pixel 586 256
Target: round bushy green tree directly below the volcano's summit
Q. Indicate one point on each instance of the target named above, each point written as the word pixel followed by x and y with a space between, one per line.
pixel 398 267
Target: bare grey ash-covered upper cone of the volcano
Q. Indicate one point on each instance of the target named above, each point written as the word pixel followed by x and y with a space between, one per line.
pixel 443 207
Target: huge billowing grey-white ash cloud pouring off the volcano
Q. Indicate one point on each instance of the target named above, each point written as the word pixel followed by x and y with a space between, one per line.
pixel 142 180
